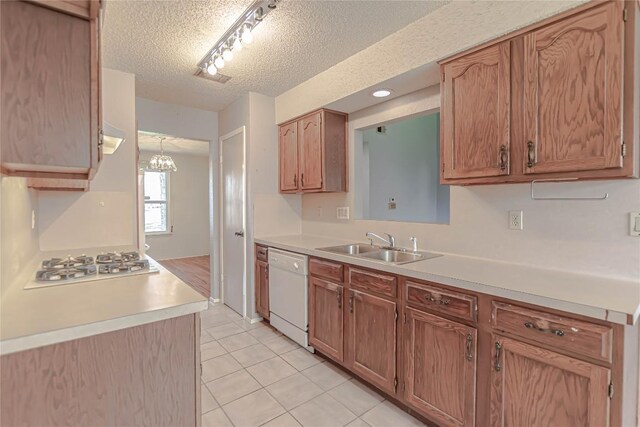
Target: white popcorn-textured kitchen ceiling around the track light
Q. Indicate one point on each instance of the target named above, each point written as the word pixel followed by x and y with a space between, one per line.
pixel 162 41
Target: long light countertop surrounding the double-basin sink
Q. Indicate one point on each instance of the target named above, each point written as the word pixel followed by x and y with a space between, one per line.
pixel 614 300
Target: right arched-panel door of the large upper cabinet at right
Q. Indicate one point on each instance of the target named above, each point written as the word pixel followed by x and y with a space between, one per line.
pixel 573 93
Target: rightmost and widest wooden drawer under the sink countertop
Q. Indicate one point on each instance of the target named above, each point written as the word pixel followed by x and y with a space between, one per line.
pixel 579 337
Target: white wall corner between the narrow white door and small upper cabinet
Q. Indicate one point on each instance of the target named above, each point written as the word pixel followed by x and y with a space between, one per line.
pixel 268 213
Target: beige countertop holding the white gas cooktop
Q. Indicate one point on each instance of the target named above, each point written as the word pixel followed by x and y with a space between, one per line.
pixel 36 317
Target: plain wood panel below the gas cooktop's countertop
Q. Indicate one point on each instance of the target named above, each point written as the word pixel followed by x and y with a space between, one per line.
pixel 143 375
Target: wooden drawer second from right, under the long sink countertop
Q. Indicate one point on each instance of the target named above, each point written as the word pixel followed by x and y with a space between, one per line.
pixel 434 298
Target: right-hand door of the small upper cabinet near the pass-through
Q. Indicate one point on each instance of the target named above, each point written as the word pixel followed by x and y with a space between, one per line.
pixel 311 161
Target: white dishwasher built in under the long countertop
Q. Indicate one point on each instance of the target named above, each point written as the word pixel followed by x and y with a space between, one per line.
pixel 288 295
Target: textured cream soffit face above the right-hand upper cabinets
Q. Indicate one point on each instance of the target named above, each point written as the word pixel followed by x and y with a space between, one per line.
pixel 449 29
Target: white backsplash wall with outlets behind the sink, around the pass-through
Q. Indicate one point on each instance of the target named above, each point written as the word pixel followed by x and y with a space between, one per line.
pixel 583 236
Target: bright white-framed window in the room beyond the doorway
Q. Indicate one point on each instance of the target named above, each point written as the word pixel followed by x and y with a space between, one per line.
pixel 156 202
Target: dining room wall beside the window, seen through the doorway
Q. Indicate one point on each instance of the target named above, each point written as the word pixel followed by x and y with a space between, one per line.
pixel 189 210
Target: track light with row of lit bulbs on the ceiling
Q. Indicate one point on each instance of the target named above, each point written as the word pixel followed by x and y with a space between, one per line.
pixel 239 35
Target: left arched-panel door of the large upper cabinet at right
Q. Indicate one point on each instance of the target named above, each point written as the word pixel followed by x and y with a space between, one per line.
pixel 475 121
